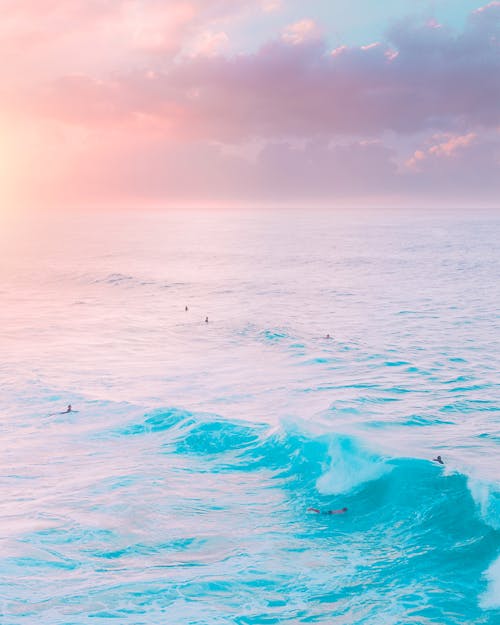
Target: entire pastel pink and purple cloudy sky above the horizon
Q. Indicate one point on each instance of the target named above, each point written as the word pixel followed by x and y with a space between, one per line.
pixel 271 103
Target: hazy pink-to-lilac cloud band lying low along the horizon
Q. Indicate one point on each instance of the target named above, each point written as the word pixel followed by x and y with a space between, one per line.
pixel 104 166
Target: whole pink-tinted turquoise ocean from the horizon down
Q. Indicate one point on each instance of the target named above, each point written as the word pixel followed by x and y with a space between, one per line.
pixel 177 491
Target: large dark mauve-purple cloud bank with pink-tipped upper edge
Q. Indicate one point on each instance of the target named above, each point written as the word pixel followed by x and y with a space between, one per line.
pixel 420 78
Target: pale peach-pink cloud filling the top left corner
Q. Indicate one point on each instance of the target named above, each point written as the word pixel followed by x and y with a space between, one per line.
pixel 44 39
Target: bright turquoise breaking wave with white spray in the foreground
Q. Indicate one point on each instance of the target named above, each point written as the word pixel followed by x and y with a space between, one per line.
pixel 413 516
